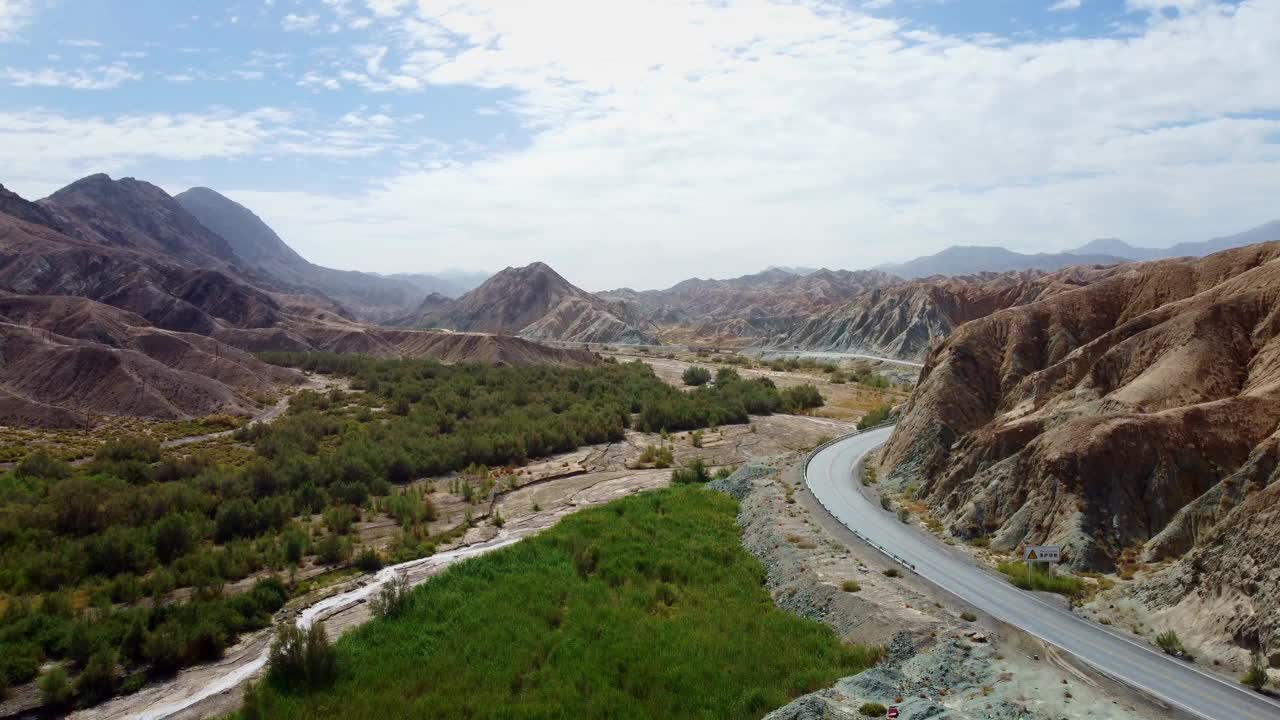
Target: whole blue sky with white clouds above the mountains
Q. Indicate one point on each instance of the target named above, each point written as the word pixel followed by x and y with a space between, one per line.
pixel 642 143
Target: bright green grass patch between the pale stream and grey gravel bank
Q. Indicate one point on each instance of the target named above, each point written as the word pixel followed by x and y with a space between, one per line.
pixel 646 608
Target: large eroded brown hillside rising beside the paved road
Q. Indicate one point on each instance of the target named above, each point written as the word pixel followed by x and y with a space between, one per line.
pixel 1136 416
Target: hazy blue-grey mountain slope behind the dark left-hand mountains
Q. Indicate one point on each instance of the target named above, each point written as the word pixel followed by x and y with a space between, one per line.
pixel 368 295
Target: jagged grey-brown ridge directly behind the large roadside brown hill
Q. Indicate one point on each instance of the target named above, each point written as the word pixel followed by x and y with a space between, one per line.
pixel 906 320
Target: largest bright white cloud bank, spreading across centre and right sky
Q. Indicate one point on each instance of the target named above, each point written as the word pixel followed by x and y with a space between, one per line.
pixel 764 133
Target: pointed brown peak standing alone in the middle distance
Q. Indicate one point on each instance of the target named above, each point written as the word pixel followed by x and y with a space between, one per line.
pixel 538 304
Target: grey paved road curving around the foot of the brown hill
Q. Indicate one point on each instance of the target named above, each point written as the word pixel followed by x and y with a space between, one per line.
pixel 830 477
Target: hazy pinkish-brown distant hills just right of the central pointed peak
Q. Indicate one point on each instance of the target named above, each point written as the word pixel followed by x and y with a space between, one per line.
pixel 749 309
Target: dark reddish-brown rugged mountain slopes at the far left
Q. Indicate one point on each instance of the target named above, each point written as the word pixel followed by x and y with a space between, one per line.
pixel 108 307
